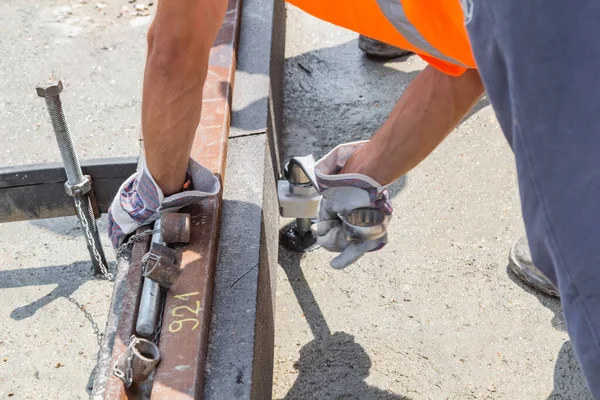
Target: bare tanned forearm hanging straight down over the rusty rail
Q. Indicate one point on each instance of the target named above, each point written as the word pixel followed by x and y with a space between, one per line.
pixel 179 42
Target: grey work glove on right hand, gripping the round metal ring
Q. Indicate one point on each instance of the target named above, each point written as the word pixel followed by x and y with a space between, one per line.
pixel 343 193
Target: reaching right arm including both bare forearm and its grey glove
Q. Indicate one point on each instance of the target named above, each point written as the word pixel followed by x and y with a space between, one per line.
pixel 432 105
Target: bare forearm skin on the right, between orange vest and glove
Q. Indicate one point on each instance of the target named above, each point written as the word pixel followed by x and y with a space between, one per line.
pixel 430 107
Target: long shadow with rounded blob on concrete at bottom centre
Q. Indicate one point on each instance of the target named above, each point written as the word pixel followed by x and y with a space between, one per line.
pixel 333 365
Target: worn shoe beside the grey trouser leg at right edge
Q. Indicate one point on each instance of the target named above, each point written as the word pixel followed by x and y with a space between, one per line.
pixel 521 264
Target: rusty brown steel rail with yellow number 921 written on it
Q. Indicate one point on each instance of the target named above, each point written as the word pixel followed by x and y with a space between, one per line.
pixel 186 318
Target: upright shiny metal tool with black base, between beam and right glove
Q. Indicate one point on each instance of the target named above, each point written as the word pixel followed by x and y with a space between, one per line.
pixel 298 198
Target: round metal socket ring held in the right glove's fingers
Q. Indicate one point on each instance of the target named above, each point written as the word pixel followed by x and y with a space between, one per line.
pixel 365 223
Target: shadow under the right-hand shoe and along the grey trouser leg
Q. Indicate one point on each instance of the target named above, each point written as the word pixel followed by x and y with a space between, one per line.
pixel 569 382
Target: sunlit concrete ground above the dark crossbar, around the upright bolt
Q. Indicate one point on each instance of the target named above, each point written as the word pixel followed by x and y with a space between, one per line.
pixel 98 49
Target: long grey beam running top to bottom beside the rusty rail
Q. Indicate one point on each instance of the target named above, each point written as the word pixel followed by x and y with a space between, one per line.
pixel 240 354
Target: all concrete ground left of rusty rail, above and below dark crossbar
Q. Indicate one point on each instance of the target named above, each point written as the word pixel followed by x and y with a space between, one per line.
pixel 51 308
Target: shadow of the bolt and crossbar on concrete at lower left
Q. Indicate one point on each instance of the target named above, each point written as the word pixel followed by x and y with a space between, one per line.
pixel 68 279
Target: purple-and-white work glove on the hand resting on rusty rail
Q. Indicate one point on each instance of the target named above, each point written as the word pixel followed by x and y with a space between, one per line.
pixel 140 200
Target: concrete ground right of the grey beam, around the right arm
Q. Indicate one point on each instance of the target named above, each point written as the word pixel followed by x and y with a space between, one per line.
pixel 435 314
